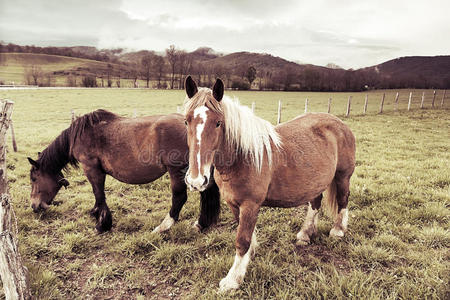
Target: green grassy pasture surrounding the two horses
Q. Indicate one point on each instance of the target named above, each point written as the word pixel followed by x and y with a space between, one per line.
pixel 398 240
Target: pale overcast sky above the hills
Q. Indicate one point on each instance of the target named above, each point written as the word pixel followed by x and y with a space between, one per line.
pixel 350 33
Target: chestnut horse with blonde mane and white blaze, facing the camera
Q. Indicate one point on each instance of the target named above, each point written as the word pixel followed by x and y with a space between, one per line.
pixel 257 164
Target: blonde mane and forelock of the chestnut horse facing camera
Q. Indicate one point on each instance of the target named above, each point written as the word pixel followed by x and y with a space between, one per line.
pixel 245 132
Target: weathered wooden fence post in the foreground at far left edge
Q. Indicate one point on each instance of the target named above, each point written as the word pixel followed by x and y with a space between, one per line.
pixel 12 272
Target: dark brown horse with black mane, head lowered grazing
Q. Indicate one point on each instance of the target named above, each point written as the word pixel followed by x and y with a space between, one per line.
pixel 132 150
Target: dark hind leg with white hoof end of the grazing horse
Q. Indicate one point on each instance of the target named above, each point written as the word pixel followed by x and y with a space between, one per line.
pixel 179 197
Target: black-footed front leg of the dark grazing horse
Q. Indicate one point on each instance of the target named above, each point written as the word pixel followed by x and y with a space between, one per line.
pixel 100 211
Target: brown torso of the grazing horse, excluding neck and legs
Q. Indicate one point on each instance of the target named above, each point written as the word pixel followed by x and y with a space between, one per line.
pixel 135 150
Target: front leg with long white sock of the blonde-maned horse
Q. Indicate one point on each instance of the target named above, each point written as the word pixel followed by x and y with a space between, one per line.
pixel 245 246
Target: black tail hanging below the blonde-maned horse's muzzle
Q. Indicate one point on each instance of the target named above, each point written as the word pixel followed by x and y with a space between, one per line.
pixel 209 205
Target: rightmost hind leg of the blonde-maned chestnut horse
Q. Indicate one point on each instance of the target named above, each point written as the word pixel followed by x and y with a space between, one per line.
pixel 342 194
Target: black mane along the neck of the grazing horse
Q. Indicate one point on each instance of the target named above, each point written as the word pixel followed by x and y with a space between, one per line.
pixel 58 154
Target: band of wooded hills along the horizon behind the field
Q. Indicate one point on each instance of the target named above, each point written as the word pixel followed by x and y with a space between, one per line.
pixel 272 73
